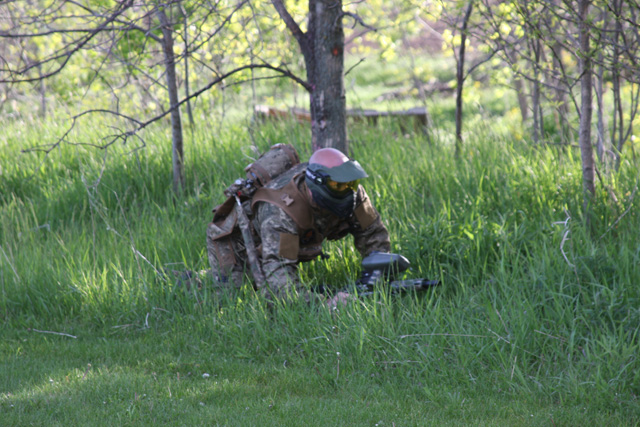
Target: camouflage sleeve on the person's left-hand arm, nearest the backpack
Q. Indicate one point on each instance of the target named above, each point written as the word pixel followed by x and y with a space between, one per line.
pixel 281 272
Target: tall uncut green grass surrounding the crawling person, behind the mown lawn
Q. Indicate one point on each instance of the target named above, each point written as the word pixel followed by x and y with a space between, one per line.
pixel 532 301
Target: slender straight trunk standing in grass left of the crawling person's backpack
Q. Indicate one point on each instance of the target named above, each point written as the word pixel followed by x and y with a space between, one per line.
pixel 172 87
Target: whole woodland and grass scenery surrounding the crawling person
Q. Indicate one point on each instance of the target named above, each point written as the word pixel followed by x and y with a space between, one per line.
pixel 513 181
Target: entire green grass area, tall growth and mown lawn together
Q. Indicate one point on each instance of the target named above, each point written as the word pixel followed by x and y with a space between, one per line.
pixel 536 321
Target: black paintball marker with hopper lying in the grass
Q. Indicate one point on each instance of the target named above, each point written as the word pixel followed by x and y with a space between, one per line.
pixel 380 269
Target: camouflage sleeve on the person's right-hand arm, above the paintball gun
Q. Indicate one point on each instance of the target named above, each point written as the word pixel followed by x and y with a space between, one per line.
pixel 369 232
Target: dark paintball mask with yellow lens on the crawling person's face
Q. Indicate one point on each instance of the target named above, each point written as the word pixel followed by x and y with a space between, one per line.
pixel 334 189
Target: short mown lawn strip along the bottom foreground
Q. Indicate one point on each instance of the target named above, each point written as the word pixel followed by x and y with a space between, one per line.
pixel 157 375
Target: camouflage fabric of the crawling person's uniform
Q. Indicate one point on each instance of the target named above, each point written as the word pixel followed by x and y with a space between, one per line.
pixel 269 221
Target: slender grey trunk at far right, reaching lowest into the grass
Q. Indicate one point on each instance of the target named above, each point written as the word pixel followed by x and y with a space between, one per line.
pixel 586 109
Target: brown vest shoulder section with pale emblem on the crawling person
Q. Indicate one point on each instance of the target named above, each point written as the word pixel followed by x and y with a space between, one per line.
pixel 289 199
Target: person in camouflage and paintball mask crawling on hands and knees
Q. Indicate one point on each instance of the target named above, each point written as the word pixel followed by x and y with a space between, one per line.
pixel 290 215
